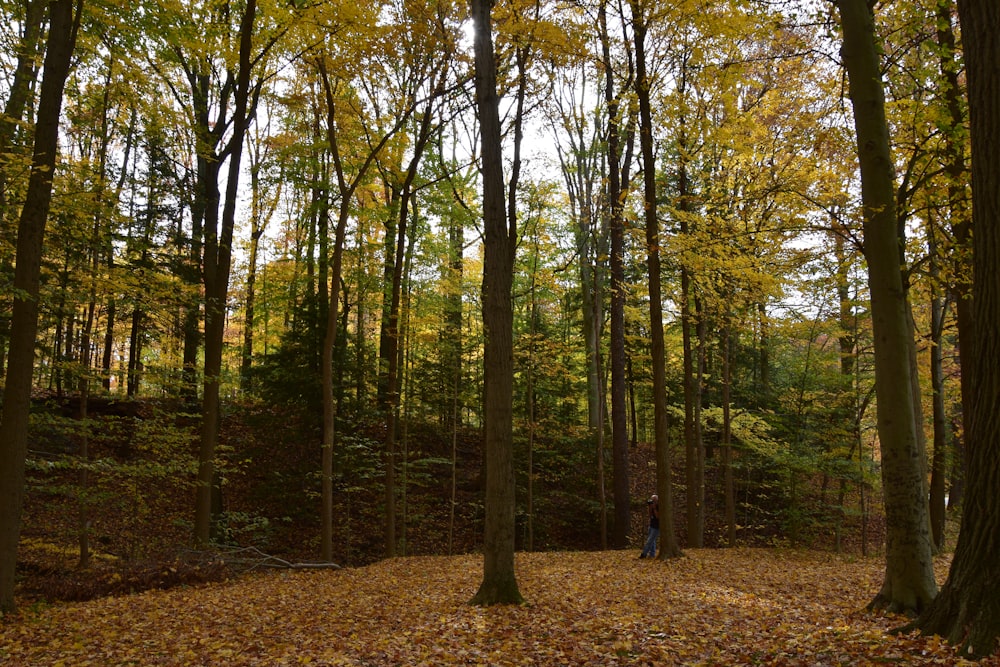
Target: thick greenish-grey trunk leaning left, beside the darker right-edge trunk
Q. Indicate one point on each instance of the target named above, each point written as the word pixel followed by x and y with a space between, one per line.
pixel 909 584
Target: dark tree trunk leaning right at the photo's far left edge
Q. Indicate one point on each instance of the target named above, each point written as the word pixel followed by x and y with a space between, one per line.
pixel 63 27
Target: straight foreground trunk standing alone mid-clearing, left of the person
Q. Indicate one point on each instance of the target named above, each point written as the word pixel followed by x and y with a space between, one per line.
pixel 499 585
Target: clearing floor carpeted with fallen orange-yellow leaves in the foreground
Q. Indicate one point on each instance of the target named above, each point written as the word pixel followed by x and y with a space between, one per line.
pixel 710 607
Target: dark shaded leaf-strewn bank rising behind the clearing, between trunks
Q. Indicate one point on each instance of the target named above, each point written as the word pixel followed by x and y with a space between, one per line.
pixel 141 502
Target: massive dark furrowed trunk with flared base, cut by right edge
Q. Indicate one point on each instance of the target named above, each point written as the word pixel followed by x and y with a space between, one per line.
pixel 967 612
